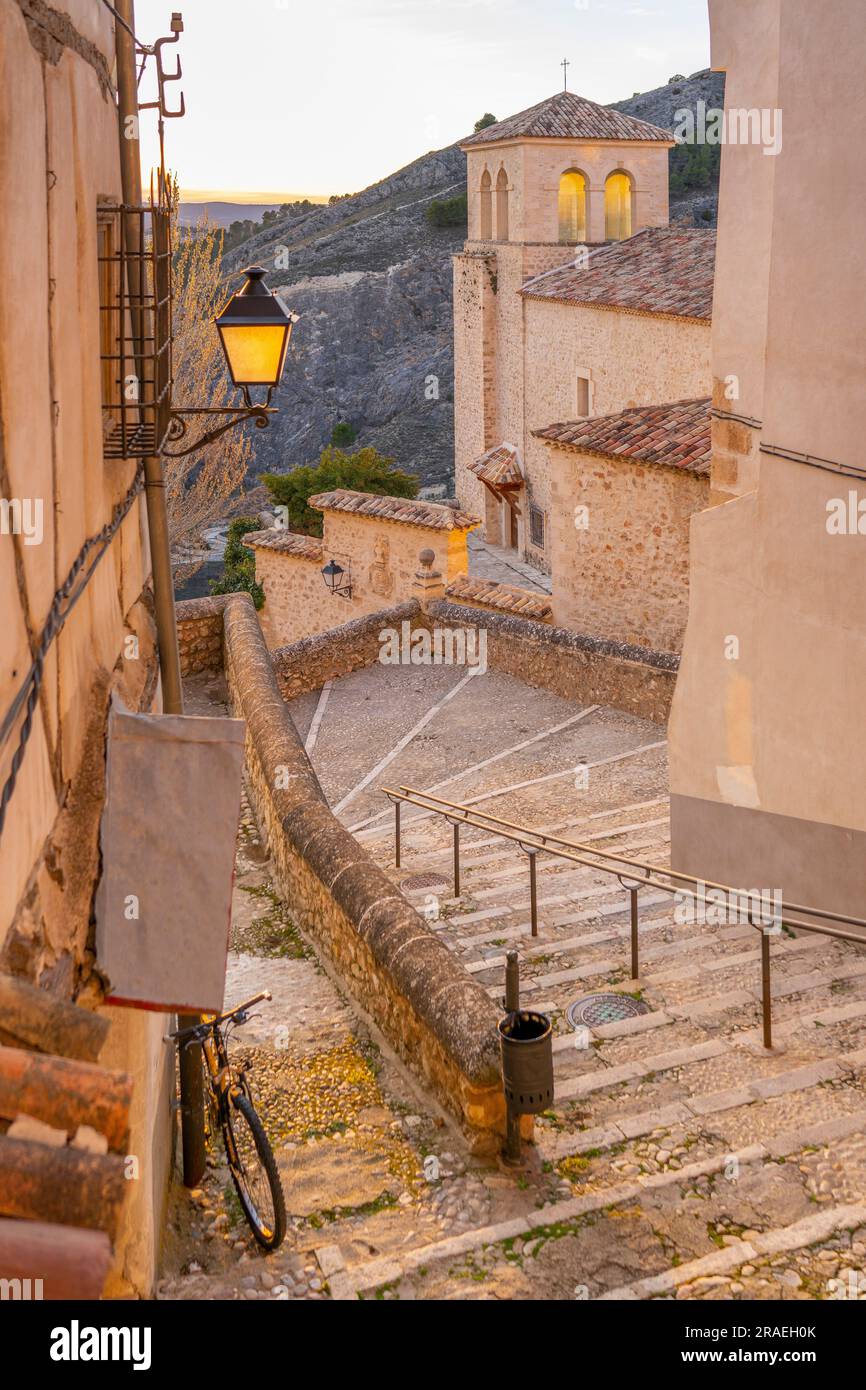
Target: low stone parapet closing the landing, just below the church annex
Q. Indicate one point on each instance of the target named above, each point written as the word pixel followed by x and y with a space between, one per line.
pixel 589 669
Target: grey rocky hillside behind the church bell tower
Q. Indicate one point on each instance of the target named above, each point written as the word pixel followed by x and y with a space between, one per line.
pixel 373 281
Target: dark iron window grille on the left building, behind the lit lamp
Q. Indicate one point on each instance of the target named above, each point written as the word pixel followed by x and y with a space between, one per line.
pixel 136 329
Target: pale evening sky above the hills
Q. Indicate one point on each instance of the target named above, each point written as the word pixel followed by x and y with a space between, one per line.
pixel 327 97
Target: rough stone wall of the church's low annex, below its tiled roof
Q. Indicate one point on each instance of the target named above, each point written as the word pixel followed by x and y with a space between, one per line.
pixel 625 573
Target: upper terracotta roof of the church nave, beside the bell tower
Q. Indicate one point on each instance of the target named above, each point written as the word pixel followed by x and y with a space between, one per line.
pixel 661 270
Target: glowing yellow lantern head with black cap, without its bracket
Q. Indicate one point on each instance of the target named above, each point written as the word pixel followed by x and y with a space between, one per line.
pixel 255 330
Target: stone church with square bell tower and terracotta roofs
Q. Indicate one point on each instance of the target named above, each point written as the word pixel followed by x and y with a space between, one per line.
pixel 575 300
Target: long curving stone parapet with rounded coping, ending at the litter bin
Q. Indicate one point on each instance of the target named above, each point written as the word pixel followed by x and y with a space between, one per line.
pixel 439 1020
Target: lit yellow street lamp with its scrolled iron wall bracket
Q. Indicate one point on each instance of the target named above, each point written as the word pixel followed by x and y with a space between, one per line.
pixel 255 329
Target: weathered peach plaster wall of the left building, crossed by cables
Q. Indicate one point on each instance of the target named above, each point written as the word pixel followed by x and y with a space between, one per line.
pixel 59 158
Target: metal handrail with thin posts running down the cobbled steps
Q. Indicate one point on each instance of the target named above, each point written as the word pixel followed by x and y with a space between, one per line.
pixel 536 842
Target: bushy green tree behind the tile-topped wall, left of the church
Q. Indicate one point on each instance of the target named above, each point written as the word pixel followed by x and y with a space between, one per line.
pixel 363 472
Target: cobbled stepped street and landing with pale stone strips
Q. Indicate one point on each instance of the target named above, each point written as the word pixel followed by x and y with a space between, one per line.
pixel 680 1160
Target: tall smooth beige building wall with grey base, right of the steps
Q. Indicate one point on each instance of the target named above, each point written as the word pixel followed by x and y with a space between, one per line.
pixel 768 762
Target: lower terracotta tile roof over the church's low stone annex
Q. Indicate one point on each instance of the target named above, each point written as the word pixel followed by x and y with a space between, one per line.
pixel 676 436
